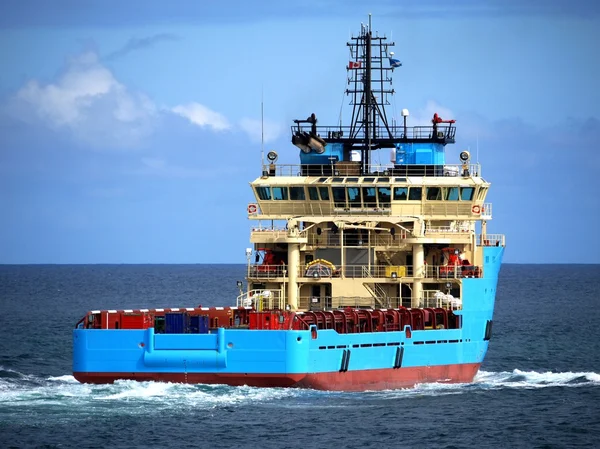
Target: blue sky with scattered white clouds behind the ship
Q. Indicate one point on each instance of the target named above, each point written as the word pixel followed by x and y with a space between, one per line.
pixel 129 131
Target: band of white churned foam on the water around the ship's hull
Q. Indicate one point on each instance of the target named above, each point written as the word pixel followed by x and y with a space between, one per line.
pixel 28 390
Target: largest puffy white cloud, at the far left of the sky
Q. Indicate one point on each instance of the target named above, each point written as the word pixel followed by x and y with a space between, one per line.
pixel 89 102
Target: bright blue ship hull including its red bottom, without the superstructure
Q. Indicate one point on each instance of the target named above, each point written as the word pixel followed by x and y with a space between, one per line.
pixel 321 359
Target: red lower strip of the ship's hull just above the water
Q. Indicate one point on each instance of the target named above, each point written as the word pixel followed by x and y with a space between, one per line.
pixel 382 379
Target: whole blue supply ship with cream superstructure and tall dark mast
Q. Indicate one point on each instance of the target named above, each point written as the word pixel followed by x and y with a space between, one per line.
pixel 361 276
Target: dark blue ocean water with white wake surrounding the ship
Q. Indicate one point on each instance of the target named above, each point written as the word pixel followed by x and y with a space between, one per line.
pixel 539 386
